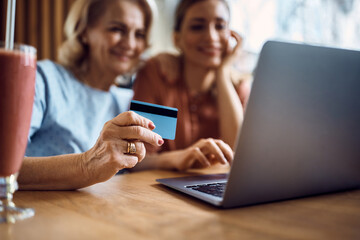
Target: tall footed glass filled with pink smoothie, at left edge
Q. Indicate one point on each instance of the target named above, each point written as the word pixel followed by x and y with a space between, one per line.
pixel 17 87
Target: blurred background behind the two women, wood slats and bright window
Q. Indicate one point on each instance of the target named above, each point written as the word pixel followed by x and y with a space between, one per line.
pixel 324 22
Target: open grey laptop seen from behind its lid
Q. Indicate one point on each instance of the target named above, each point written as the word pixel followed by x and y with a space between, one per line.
pixel 301 130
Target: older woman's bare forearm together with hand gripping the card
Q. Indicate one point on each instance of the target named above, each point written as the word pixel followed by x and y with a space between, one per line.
pixel 98 164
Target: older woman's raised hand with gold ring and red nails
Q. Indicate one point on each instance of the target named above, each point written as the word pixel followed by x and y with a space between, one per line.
pixel 110 153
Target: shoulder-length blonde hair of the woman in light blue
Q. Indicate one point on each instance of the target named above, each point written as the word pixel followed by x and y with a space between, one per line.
pixel 74 53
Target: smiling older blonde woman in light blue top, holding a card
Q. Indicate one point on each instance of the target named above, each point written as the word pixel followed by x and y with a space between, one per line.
pixel 77 136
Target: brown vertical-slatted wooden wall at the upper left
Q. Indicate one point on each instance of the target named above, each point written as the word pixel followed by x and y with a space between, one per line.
pixel 38 23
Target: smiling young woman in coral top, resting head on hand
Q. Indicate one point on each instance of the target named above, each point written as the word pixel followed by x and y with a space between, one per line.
pixel 201 83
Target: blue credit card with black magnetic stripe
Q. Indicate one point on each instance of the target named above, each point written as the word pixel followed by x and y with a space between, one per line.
pixel 163 117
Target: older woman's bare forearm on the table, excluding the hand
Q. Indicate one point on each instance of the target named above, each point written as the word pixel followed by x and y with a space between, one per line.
pixel 63 172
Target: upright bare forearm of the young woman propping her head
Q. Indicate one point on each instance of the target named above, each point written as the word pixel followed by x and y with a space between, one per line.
pixel 230 108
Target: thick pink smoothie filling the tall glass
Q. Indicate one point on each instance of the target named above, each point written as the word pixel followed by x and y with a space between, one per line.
pixel 17 84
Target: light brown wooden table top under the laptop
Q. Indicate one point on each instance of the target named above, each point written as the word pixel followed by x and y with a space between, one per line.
pixel 134 206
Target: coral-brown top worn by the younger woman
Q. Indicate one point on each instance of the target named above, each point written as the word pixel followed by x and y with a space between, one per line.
pixel 159 81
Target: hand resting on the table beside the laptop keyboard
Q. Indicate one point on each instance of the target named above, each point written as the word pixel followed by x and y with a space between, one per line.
pixel 204 153
